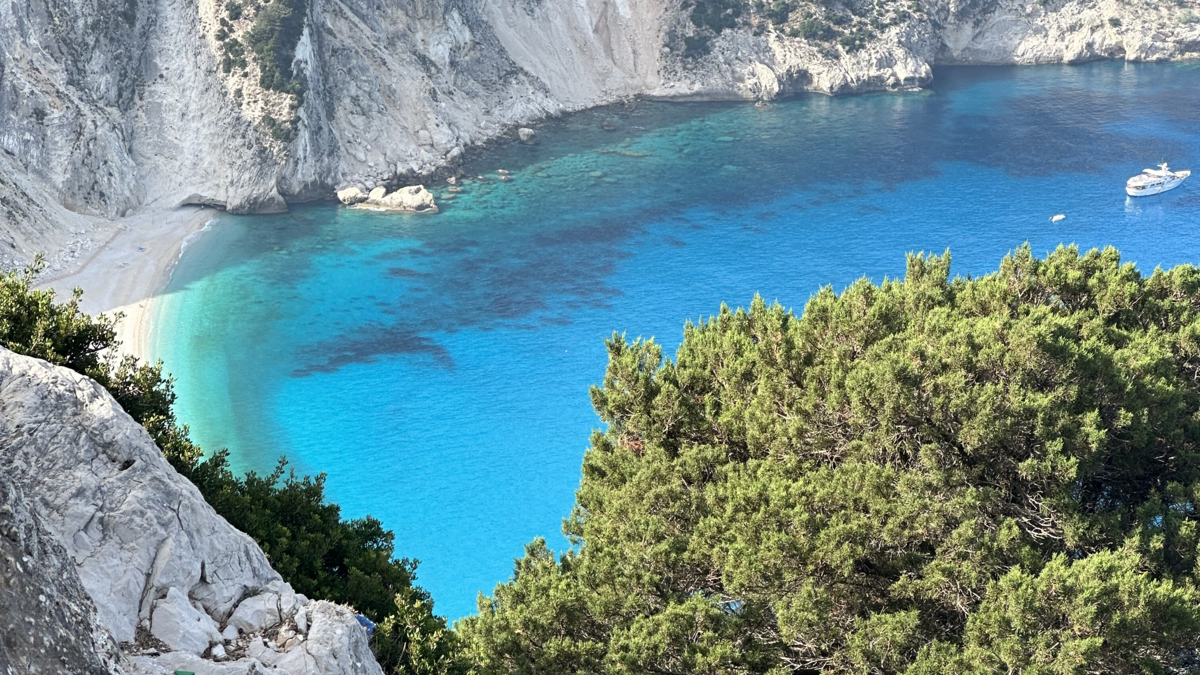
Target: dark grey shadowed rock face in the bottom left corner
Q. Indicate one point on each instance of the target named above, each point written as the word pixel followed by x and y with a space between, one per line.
pixel 49 624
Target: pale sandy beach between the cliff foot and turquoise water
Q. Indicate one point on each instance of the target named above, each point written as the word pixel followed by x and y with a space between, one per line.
pixel 128 273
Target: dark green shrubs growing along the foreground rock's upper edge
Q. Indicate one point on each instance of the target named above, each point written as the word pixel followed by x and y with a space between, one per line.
pixel 304 536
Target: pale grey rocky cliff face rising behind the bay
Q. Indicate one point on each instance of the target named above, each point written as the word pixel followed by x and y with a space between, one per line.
pixel 116 106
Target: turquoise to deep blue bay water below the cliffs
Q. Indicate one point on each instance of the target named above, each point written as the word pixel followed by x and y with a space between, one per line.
pixel 437 368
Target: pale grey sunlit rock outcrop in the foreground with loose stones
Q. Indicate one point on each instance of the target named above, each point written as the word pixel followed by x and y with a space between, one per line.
pixel 170 580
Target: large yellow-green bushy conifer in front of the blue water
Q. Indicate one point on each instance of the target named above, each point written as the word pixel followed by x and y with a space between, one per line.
pixel 929 476
